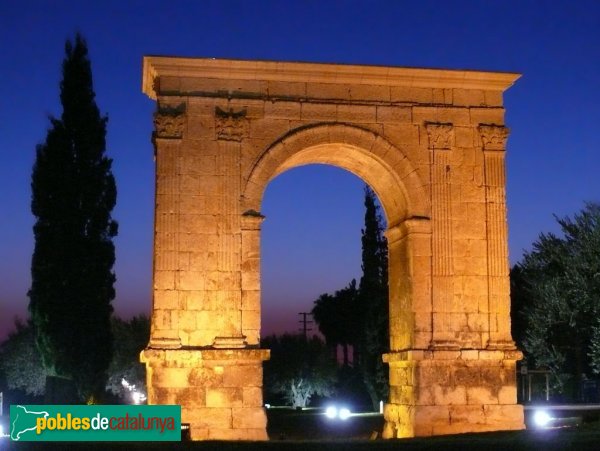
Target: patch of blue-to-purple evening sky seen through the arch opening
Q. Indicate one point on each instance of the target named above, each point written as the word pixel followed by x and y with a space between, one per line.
pixel 311 242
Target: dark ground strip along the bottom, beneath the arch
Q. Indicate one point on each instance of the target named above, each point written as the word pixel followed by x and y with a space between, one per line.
pixel 308 431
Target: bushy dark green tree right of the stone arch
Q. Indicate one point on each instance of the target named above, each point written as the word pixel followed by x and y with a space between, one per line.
pixel 559 284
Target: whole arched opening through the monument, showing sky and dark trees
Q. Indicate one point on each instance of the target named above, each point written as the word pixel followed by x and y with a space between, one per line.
pixel 311 249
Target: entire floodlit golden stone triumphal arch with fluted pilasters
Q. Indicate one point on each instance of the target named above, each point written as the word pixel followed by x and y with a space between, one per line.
pixel 431 144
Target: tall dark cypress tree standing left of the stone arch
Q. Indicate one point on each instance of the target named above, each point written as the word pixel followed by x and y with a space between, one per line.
pixel 73 194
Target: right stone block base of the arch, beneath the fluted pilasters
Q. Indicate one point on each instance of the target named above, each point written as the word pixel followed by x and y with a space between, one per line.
pixel 452 392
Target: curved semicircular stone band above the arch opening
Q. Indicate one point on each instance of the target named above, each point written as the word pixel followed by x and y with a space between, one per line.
pixel 362 152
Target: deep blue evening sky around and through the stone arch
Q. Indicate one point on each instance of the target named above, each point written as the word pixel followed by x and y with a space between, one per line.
pixel 311 238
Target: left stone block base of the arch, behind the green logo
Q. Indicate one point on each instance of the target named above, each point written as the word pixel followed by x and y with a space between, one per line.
pixel 219 390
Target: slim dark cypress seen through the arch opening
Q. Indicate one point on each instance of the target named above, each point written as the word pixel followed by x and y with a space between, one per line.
pixel 373 306
